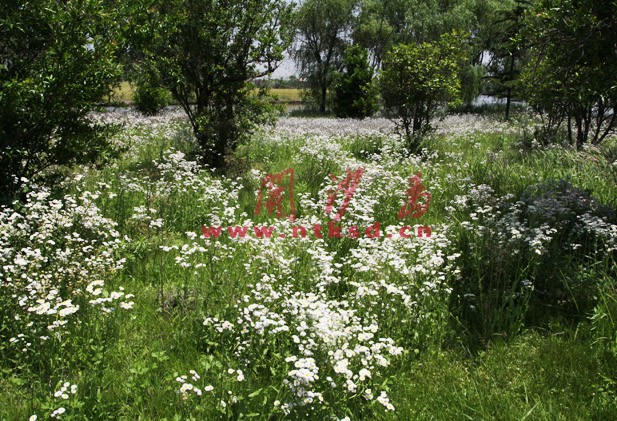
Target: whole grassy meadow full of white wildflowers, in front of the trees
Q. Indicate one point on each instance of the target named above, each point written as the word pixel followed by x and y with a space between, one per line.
pixel 115 306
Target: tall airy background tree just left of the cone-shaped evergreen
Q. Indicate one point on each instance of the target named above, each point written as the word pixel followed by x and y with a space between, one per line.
pixel 321 30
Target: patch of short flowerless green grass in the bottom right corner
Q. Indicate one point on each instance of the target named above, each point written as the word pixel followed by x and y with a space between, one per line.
pixel 535 376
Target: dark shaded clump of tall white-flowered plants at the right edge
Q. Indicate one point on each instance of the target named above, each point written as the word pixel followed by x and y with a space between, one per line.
pixel 527 260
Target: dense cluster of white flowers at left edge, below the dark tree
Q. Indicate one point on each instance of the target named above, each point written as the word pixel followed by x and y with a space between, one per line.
pixel 56 256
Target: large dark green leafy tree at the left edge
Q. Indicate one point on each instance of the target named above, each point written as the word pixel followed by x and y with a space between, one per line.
pixel 57 59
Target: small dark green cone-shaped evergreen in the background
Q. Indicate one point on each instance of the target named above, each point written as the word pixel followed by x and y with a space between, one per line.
pixel 354 92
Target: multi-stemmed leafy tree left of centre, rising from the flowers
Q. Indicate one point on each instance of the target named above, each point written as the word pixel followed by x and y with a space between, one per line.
pixel 206 53
